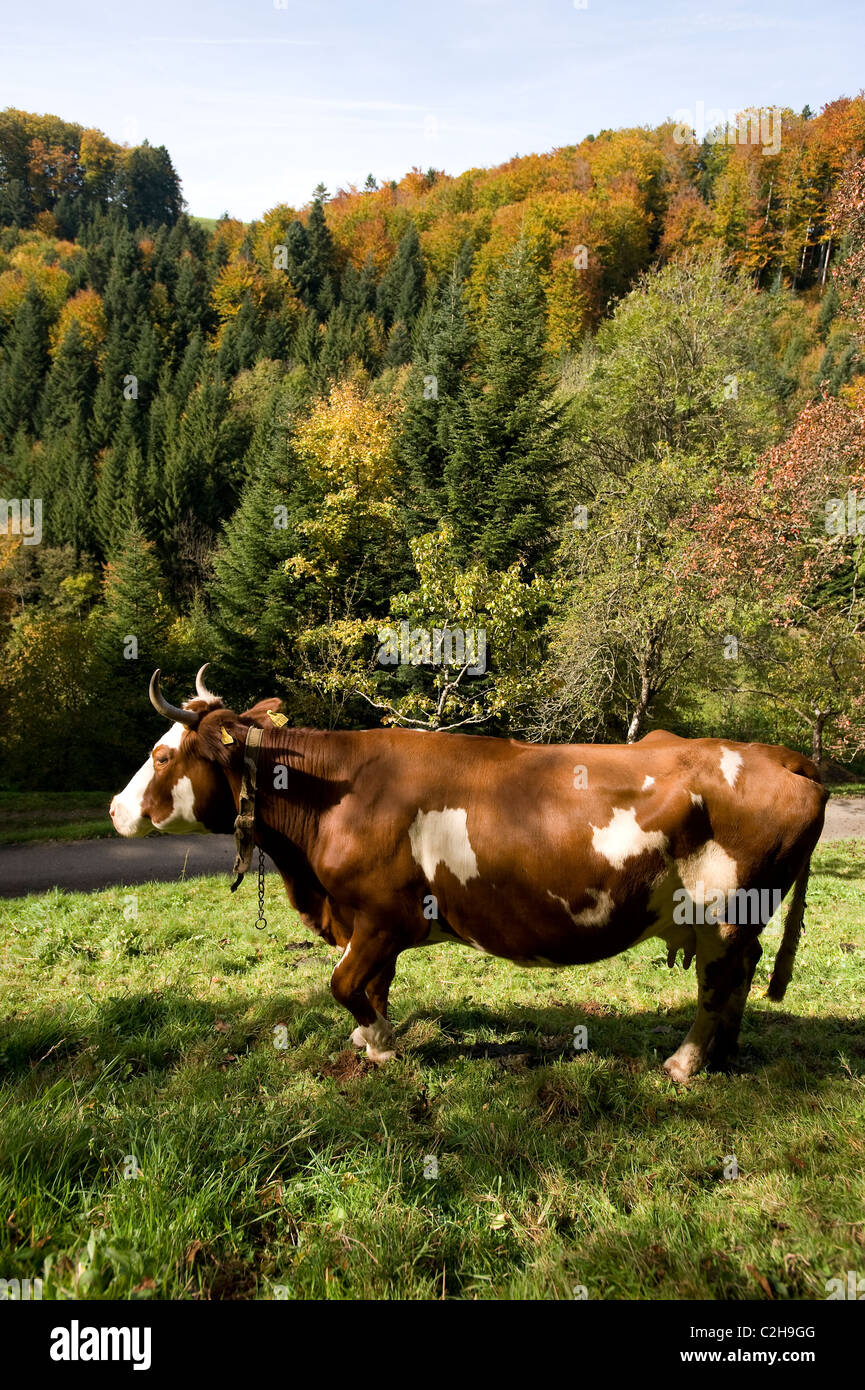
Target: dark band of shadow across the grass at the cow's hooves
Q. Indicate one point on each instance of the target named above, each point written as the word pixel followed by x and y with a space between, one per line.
pixel 155 1032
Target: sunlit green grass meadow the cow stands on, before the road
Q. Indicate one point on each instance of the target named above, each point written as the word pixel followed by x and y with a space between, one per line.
pixel 140 1033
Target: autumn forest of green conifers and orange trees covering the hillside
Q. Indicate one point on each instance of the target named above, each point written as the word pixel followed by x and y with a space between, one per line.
pixel 604 407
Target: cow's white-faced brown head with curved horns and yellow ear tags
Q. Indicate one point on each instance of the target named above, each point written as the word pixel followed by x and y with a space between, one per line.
pixel 187 786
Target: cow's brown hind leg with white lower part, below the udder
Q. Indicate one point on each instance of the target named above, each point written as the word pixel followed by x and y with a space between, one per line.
pixel 721 992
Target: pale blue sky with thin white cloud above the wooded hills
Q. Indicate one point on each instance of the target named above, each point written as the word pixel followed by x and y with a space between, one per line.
pixel 259 101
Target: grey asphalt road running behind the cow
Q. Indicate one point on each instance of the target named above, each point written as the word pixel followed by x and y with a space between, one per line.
pixel 88 865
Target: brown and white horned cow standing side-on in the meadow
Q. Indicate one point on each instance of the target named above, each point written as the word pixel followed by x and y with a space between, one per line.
pixel 542 854
